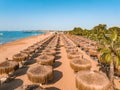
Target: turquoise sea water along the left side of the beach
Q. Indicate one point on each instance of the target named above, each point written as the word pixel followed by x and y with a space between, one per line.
pixel 8 36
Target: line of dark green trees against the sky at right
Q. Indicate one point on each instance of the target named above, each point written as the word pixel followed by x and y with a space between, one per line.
pixel 101 28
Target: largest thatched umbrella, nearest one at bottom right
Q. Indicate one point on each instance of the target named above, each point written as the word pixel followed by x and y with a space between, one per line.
pixel 91 80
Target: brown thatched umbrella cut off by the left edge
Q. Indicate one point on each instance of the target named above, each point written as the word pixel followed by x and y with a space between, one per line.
pixel 8 66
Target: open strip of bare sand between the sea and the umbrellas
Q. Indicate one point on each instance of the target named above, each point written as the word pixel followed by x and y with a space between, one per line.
pixel 7 50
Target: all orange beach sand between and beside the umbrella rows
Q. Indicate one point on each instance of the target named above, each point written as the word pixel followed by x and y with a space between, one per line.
pixel 63 75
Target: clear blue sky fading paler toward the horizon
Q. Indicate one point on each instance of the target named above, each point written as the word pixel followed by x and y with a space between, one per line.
pixel 58 14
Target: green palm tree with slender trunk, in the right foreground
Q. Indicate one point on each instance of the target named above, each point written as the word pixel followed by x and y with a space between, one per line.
pixel 109 53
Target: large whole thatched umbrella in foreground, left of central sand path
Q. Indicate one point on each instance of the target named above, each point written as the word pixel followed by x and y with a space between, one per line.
pixel 40 73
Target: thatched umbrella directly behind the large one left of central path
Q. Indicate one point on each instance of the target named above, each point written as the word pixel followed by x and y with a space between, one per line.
pixel 45 59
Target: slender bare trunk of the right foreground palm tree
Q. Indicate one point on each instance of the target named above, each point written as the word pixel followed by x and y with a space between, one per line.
pixel 111 74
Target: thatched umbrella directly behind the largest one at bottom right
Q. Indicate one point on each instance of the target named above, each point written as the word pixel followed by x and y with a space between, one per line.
pixel 80 64
